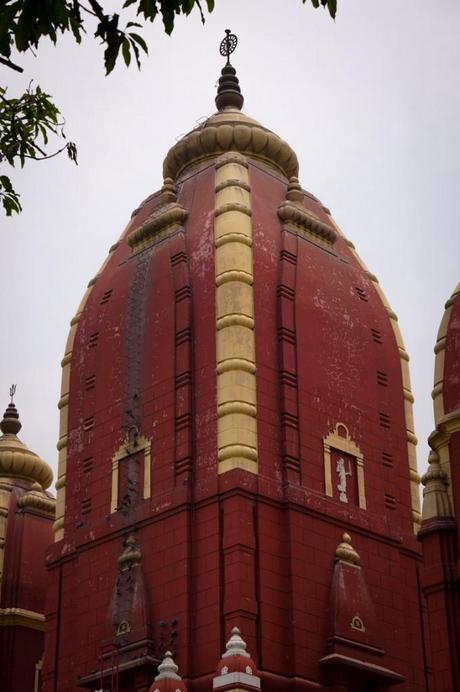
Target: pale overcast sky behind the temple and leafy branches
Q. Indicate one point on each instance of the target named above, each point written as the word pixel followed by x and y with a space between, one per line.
pixel 370 103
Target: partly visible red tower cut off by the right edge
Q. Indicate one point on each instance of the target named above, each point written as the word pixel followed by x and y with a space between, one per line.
pixel 440 530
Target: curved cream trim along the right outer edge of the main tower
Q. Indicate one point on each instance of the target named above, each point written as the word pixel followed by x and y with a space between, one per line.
pixel 414 477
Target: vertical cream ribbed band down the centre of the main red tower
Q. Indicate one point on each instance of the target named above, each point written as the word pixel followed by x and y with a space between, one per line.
pixel 235 340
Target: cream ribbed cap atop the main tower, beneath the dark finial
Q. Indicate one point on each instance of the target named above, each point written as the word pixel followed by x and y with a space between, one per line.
pixel 230 131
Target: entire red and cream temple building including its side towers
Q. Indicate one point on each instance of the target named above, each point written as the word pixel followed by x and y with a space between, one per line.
pixel 238 502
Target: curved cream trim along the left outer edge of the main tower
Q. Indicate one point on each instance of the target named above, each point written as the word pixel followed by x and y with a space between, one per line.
pixel 63 405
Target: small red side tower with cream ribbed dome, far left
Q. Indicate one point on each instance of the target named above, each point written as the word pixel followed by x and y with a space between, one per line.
pixel 26 518
